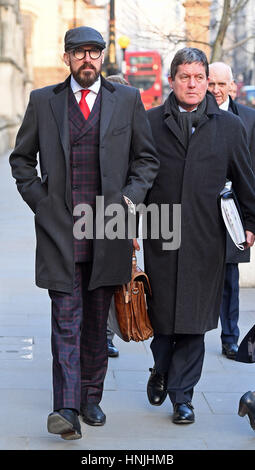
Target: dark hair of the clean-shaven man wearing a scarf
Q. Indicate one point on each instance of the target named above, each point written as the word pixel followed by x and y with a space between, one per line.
pixel 188 55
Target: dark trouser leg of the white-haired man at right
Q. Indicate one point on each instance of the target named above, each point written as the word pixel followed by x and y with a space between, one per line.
pixel 229 310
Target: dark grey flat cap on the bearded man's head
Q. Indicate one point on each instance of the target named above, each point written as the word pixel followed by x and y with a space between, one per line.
pixel 83 35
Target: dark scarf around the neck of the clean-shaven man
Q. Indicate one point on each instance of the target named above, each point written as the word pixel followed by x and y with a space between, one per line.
pixel 186 120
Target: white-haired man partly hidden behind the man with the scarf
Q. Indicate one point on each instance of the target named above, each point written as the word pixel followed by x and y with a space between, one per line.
pixel 220 85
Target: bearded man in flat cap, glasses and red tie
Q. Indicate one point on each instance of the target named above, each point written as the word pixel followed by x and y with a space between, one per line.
pixel 93 139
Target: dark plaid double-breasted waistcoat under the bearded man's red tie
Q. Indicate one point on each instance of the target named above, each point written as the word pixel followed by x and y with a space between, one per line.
pixel 85 168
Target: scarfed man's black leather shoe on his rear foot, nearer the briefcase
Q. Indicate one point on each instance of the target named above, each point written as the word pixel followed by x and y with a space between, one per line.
pixel 156 388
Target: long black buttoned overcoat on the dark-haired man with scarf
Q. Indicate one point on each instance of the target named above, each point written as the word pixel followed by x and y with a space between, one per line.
pixel 187 283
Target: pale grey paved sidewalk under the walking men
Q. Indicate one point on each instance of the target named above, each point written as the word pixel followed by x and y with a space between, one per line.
pixel 132 423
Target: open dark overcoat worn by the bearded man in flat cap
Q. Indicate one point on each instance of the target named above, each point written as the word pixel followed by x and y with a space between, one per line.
pixel 44 133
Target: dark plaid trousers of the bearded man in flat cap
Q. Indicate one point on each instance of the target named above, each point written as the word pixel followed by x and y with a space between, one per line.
pixel 79 342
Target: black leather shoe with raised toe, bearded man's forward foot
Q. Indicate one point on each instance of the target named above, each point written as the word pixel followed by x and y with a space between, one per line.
pixel 66 423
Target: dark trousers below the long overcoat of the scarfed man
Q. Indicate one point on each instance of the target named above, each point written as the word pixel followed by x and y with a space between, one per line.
pixel 181 358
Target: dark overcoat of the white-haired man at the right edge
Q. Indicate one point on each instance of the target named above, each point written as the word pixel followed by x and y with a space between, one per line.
pixel 247 116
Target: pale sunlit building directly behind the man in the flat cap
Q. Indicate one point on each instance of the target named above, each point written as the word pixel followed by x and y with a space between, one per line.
pixel 45 24
